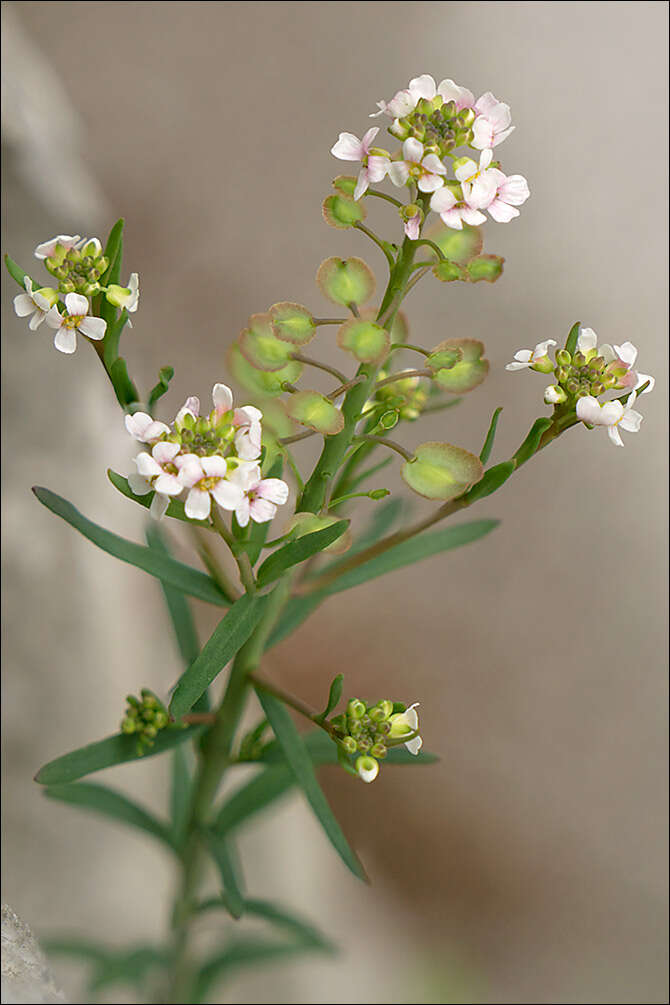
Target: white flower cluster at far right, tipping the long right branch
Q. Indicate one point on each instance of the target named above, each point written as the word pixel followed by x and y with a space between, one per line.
pixel 586 374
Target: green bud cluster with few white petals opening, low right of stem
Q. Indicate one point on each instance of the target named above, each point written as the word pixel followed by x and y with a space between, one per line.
pixel 370 730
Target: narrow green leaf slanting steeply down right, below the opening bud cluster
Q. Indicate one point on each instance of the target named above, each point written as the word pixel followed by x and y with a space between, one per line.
pixel 301 763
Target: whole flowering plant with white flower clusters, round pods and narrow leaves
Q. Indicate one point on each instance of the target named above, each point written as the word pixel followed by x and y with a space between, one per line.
pixel 229 473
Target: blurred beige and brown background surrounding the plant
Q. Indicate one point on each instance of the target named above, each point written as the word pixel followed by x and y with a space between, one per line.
pixel 530 865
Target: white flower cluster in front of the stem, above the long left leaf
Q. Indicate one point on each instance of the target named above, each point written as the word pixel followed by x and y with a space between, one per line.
pixel 205 458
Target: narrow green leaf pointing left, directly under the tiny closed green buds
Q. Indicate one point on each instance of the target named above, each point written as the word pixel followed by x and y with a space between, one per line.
pixel 118 749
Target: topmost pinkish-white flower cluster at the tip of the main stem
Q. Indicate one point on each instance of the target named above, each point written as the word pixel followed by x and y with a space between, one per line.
pixel 434 122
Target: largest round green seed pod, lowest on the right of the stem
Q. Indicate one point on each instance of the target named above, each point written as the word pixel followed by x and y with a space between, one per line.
pixel 441 471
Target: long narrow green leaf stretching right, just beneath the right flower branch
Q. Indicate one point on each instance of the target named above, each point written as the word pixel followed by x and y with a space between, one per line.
pixel 424 546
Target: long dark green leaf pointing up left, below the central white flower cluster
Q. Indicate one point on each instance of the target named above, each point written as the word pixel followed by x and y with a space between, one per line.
pixel 167 569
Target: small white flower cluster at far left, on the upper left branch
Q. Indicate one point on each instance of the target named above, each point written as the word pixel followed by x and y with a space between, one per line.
pixel 79 265
